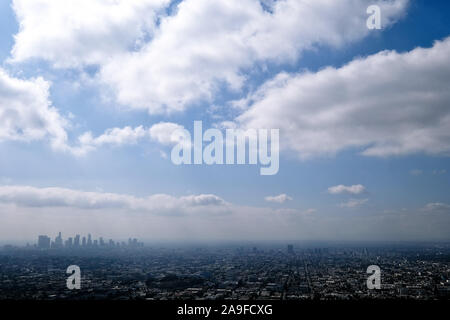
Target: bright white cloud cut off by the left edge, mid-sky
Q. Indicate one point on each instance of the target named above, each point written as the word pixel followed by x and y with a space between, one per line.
pixel 27 114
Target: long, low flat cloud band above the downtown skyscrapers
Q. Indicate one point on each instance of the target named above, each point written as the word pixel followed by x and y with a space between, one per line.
pixel 26 196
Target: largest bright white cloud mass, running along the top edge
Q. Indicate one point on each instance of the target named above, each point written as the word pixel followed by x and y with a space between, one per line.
pixel 204 45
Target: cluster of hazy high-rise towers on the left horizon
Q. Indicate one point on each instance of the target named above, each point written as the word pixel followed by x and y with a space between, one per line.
pixel 45 242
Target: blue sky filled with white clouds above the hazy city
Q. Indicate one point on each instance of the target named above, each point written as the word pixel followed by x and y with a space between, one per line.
pixel 92 91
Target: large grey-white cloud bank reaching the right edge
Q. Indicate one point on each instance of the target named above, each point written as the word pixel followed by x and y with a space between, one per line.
pixel 388 104
